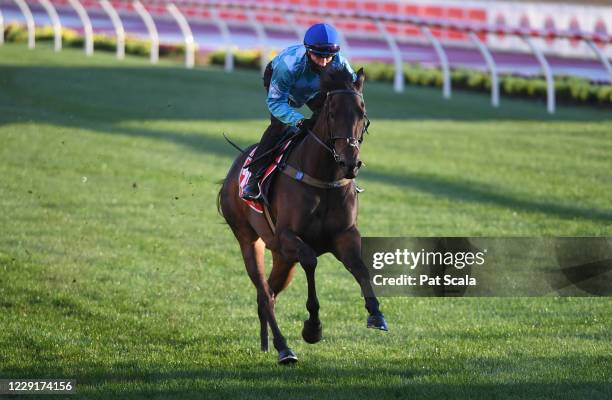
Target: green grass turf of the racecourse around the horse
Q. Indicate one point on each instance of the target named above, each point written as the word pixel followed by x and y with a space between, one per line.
pixel 116 270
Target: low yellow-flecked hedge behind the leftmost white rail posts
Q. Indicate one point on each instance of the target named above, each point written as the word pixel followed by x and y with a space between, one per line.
pixel 71 38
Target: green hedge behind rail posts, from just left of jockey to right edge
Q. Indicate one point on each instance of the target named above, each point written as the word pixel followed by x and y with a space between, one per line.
pixel 568 89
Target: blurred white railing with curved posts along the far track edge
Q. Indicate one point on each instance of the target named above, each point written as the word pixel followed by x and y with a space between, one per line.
pixel 262 16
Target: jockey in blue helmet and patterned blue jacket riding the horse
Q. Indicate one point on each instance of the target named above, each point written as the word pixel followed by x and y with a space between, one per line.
pixel 291 80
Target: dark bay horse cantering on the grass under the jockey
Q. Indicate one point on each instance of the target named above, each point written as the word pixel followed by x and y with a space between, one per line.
pixel 313 215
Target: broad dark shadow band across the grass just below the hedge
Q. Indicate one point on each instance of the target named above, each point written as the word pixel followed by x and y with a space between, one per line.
pixel 136 93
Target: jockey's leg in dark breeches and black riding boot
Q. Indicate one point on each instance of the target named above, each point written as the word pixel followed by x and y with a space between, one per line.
pixel 269 139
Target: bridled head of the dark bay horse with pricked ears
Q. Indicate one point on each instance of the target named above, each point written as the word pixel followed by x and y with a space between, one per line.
pixel 344 118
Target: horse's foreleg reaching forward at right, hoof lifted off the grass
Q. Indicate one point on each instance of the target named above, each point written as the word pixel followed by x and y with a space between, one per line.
pixel 347 249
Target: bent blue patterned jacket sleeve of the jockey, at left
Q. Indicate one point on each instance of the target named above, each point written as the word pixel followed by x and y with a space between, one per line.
pixel 278 96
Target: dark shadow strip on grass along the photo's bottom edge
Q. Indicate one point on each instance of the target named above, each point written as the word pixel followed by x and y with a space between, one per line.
pixel 432 379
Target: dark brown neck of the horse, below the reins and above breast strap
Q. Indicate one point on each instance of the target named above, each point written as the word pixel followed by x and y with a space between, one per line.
pixel 314 159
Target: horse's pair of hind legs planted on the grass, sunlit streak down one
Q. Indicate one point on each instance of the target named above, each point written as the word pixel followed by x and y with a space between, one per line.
pixel 253 254
